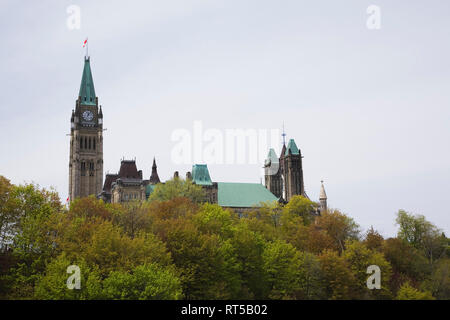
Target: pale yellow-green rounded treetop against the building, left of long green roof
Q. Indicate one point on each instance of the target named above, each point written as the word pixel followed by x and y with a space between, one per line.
pixel 178 188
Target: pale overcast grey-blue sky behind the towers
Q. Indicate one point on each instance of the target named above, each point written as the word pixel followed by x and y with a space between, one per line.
pixel 368 108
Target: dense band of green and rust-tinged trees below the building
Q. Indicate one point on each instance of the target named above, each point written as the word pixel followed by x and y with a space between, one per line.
pixel 174 246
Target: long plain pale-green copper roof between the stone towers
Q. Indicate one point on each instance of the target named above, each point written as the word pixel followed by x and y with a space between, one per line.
pixel 243 195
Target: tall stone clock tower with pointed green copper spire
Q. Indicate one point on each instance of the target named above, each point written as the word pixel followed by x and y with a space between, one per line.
pixel 86 141
